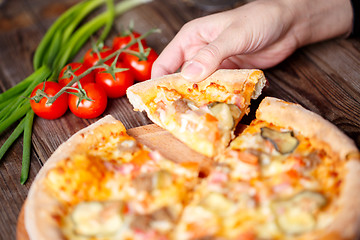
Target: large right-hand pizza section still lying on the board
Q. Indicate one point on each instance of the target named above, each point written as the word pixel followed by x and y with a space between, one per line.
pixel 289 175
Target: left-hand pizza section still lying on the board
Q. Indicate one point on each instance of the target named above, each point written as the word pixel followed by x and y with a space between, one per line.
pixel 103 184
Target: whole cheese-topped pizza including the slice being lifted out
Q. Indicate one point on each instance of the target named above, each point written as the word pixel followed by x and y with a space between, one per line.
pixel 290 174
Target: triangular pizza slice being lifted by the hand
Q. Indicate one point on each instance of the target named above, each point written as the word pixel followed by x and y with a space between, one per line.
pixel 202 115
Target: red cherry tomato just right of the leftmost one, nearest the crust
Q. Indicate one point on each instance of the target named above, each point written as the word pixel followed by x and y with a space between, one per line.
pixel 86 108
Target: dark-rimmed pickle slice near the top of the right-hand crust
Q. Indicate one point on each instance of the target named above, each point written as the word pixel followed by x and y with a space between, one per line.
pixel 284 142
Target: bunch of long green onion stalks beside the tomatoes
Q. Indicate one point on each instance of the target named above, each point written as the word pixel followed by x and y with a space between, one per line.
pixel 60 44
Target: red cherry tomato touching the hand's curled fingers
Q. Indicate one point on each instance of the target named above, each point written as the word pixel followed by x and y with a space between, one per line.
pixel 140 69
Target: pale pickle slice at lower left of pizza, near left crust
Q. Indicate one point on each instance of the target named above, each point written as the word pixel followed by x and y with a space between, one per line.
pixel 98 219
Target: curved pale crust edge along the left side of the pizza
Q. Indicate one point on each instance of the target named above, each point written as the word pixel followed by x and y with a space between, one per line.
pixel 40 206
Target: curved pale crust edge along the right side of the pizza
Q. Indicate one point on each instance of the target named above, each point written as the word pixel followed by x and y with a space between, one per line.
pixel 309 124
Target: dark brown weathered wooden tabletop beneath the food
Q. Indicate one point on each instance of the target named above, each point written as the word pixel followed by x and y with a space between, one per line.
pixel 323 77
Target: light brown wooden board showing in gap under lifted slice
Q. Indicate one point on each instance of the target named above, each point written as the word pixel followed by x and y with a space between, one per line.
pixel 155 138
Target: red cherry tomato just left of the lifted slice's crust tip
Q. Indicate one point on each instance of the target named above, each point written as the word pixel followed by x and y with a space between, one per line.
pixel 115 88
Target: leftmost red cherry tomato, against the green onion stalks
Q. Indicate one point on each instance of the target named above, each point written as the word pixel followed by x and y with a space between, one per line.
pixel 55 110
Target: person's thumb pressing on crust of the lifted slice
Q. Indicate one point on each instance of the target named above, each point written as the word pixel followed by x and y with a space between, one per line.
pixel 208 59
